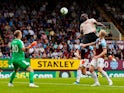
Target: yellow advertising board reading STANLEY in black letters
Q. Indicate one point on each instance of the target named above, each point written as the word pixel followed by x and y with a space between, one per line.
pixel 54 64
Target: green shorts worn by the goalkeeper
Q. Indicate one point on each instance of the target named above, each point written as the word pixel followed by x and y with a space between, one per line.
pixel 23 64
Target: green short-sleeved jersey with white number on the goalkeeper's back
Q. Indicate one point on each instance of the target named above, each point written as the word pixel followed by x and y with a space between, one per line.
pixel 17 52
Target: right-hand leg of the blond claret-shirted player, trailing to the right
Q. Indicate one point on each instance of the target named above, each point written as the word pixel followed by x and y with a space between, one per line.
pixel 100 69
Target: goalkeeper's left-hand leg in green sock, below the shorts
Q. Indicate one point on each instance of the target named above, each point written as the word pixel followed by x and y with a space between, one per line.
pixel 13 74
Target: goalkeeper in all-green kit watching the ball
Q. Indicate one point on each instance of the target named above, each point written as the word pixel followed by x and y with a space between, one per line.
pixel 18 58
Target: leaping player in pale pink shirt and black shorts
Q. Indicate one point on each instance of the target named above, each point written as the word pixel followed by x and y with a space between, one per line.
pixel 88 27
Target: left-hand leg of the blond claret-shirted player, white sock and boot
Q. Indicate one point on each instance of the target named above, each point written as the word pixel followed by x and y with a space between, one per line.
pixel 93 73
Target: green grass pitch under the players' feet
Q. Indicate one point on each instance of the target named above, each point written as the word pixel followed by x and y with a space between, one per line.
pixel 62 85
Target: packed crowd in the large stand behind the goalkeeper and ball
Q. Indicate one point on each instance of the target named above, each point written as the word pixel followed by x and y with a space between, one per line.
pixel 57 35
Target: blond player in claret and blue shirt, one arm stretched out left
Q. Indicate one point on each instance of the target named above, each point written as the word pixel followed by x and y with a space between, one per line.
pixel 98 60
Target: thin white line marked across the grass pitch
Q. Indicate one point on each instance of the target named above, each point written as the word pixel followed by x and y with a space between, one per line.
pixel 65 84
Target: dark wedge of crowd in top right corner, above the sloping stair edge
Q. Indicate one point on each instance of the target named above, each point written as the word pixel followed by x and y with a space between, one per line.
pixel 116 8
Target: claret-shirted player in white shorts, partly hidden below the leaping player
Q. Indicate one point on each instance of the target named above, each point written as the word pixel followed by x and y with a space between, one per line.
pixel 84 63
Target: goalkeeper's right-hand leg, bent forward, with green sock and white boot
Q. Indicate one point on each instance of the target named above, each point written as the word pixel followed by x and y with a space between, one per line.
pixel 25 65
